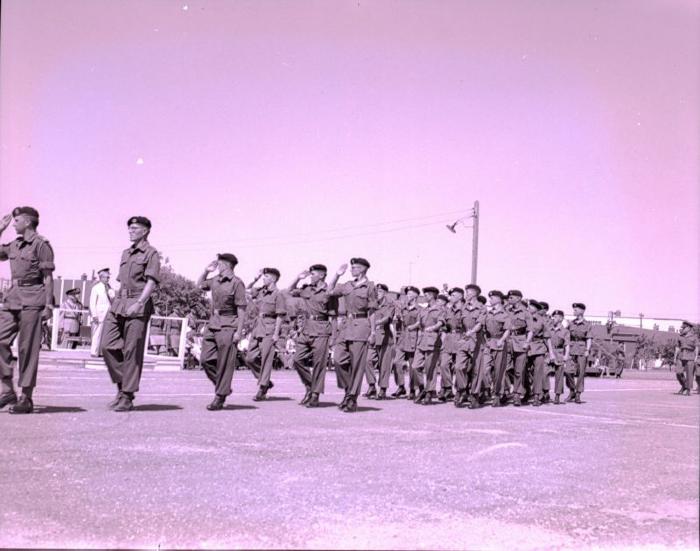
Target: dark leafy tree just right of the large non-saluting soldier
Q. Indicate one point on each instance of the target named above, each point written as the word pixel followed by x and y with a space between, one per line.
pixel 178 296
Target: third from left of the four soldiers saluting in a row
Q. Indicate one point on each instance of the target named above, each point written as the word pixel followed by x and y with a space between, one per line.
pixel 311 343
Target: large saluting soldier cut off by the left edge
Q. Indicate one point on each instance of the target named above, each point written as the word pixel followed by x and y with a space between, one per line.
pixel 29 300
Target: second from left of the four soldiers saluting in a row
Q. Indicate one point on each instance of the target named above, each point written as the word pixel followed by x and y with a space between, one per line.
pixel 266 332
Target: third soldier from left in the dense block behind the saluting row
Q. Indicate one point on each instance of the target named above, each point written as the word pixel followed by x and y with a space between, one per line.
pixel 424 367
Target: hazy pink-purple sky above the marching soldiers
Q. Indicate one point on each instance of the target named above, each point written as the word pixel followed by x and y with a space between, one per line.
pixel 291 132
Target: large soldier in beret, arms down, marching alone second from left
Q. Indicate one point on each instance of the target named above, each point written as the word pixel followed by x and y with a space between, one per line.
pixel 124 331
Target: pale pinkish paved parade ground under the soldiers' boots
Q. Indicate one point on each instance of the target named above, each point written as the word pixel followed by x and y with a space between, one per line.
pixel 619 471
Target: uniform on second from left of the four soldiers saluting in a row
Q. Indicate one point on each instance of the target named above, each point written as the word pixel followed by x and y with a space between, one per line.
pixel 261 350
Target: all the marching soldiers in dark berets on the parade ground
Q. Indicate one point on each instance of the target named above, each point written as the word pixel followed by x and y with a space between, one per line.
pixel 486 351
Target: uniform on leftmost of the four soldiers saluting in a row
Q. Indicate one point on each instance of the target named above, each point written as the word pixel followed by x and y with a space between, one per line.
pixel 219 347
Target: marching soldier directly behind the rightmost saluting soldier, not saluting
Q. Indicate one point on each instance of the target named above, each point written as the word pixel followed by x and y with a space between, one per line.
pixel 381 349
